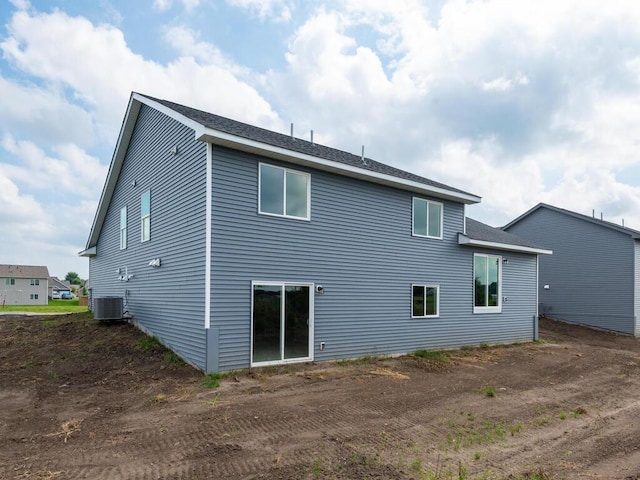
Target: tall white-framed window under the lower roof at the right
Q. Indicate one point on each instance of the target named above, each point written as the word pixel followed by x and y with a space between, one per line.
pixel 487 291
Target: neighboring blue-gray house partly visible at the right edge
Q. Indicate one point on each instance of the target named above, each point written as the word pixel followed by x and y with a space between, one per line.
pixel 593 277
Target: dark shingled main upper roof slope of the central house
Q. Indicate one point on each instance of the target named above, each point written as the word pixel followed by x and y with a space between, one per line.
pixel 251 132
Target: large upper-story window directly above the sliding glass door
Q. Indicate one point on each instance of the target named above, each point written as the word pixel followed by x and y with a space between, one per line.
pixel 283 192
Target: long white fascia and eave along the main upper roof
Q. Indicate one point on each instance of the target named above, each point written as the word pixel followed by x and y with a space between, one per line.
pixel 221 138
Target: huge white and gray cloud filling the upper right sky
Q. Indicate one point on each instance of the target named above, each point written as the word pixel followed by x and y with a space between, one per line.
pixel 515 101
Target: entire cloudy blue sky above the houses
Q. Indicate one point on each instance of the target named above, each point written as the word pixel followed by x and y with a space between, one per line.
pixel 519 102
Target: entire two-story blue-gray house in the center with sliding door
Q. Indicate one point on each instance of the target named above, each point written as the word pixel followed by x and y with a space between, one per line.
pixel 237 246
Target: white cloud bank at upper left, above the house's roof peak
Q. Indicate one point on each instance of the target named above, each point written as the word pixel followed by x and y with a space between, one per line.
pixel 97 64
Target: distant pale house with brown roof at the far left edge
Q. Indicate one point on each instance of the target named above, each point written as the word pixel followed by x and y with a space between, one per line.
pixel 23 285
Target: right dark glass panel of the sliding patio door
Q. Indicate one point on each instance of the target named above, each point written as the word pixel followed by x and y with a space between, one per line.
pixel 296 333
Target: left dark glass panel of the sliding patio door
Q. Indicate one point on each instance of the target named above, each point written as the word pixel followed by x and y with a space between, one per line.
pixel 267 314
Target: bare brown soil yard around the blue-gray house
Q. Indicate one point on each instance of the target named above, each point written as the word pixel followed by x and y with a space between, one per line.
pixel 81 399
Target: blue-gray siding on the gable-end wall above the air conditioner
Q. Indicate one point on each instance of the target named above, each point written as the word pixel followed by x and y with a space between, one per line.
pixel 167 302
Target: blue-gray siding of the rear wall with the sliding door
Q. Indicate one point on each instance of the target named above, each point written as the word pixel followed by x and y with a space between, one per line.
pixel 358 246
